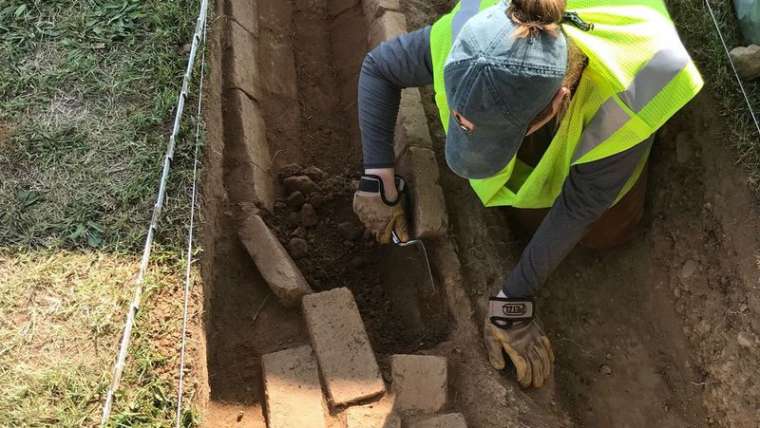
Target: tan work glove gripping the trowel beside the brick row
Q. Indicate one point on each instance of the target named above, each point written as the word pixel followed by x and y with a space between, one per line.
pixel 380 216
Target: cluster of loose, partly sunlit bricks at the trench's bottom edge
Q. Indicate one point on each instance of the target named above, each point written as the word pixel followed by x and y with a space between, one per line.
pixel 340 361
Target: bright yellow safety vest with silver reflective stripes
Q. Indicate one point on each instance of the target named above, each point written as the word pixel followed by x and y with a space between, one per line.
pixel 639 75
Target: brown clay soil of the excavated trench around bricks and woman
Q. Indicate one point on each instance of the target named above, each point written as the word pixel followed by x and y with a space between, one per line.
pixel 659 332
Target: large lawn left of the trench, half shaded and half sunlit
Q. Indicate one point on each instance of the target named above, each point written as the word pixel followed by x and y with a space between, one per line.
pixel 87 91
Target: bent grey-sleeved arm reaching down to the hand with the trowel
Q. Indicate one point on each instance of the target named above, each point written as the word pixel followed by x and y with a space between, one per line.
pixel 398 63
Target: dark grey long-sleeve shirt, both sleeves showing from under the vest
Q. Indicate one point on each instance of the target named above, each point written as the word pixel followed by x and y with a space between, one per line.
pixel 588 191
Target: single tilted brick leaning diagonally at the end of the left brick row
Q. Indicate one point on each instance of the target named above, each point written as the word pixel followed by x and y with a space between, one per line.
pixel 274 263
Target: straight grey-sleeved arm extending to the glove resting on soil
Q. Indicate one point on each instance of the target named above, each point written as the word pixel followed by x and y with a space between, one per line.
pixel 589 190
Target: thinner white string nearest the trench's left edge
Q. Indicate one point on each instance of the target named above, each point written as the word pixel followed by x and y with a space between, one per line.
pixel 189 258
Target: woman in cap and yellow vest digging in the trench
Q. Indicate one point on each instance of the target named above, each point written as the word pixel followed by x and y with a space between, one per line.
pixel 550 109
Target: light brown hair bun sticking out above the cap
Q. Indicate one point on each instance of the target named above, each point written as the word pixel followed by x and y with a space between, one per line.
pixel 535 16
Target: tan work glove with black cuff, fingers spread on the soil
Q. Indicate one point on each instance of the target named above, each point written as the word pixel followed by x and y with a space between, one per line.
pixel 510 326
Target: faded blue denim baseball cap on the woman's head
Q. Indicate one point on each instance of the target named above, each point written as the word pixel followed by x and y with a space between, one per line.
pixel 500 83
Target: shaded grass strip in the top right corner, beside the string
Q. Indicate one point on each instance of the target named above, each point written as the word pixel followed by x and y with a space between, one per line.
pixel 699 34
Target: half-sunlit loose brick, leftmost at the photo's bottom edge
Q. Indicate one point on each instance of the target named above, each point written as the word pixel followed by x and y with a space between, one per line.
pixel 293 393
